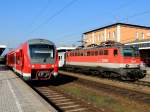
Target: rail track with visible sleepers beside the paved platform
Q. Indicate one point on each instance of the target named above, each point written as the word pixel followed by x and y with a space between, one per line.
pixel 63 102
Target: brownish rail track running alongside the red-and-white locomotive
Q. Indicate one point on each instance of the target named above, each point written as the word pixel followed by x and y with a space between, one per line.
pixel 113 89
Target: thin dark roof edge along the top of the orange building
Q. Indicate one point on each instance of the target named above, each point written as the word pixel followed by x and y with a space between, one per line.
pixel 124 24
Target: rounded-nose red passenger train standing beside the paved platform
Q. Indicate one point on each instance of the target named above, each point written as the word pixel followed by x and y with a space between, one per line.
pixel 36 59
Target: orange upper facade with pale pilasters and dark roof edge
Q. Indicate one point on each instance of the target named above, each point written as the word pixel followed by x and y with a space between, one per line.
pixel 119 32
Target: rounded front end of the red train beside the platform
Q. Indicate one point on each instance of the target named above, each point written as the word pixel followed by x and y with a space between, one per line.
pixel 43 59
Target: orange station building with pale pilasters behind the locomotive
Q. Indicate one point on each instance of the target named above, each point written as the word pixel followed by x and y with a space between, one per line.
pixel 128 34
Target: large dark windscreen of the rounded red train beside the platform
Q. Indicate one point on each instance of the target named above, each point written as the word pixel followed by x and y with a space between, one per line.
pixel 43 54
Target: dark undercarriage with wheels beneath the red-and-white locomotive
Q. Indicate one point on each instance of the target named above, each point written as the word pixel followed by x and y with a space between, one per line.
pixel 125 74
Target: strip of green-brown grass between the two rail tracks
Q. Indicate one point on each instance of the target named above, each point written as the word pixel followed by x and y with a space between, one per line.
pixel 99 100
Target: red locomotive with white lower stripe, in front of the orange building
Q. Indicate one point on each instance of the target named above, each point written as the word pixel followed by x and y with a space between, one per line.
pixel 109 60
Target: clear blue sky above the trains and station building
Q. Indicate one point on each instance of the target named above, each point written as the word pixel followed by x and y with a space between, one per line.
pixel 21 20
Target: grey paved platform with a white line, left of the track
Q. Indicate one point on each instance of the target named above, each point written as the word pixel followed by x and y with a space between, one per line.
pixel 17 96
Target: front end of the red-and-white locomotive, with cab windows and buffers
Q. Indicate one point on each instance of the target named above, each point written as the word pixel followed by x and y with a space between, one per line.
pixel 132 68
